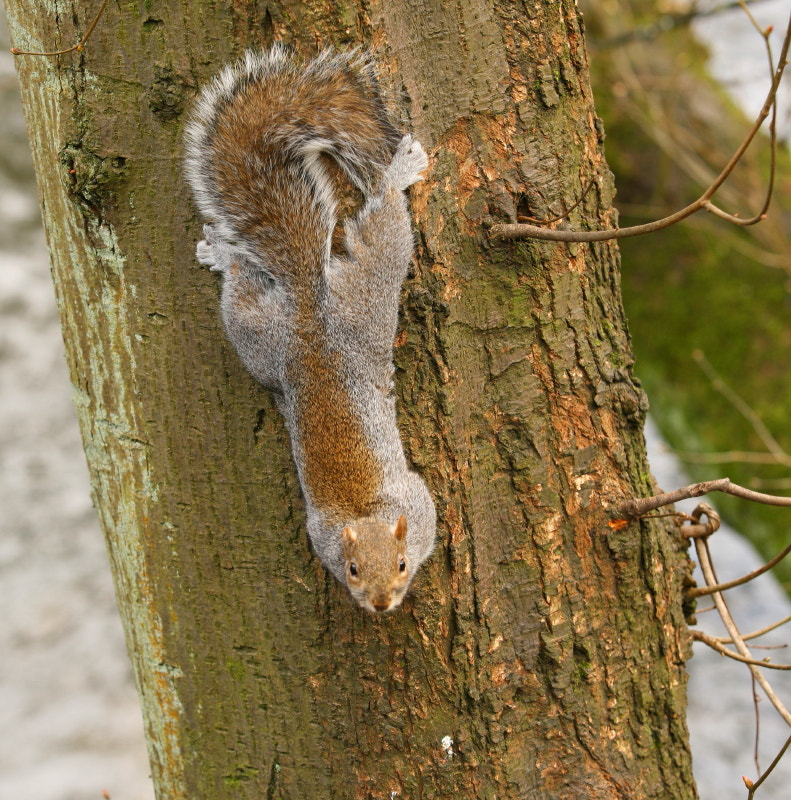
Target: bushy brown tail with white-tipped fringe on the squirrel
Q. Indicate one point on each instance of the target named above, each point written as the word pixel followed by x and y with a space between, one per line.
pixel 254 147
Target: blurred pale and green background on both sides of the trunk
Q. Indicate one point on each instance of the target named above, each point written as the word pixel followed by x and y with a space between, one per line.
pixel 701 298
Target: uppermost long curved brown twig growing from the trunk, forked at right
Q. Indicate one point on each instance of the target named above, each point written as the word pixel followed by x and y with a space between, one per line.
pixel 520 230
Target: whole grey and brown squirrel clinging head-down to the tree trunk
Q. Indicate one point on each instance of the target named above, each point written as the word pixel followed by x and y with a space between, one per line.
pixel 318 328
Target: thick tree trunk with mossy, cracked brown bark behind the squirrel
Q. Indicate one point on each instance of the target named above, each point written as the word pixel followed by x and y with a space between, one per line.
pixel 541 654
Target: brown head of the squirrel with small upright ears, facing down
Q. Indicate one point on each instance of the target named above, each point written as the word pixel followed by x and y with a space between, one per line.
pixel 377 567
